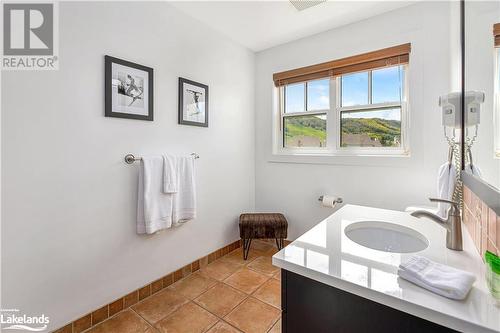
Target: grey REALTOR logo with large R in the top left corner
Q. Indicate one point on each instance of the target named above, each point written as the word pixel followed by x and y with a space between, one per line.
pixel 30 36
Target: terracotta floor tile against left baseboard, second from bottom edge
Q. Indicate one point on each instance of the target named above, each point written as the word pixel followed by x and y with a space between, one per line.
pixel 160 305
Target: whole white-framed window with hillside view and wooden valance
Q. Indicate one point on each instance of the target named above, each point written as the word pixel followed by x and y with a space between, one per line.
pixel 348 108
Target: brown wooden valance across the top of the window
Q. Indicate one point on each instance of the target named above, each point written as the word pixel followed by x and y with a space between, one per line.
pixel 390 56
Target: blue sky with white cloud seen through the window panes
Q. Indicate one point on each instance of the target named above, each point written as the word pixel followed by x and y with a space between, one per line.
pixel 386 83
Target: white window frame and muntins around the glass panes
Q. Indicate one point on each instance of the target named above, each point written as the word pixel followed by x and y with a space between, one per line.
pixel 333 128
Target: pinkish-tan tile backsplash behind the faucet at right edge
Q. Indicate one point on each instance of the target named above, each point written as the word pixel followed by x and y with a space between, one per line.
pixel 481 222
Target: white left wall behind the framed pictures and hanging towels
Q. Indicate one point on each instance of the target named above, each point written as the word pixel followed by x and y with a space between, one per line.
pixel 69 201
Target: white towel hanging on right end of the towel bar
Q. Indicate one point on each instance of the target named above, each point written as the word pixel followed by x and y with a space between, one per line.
pixel 184 201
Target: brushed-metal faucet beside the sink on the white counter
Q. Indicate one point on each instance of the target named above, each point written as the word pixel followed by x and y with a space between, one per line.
pixel 453 224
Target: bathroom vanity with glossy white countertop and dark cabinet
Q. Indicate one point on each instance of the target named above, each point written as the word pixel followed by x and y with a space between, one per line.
pixel 332 283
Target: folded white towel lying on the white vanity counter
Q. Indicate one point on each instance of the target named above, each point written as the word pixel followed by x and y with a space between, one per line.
pixel 440 279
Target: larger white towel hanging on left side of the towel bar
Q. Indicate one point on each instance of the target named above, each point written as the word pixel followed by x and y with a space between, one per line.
pixel 154 208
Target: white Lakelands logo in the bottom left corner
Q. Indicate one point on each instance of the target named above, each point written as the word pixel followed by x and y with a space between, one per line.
pixel 11 319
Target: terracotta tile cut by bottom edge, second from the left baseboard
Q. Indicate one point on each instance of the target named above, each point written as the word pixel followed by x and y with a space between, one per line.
pixel 189 318
